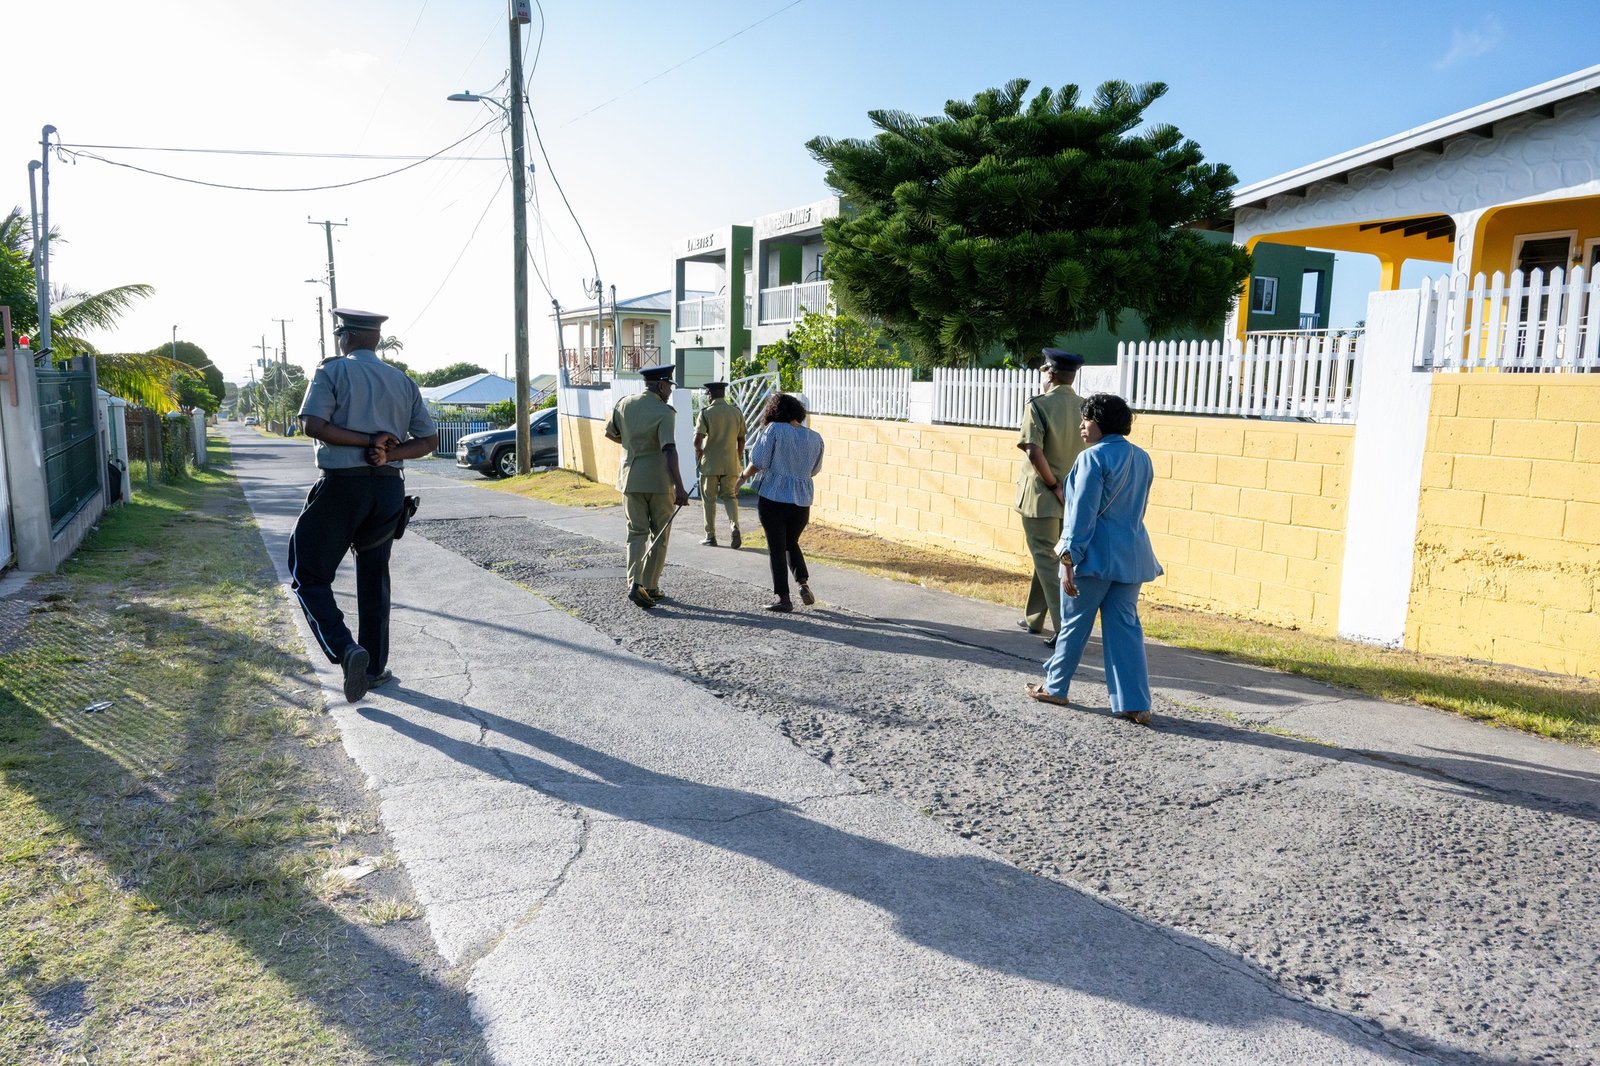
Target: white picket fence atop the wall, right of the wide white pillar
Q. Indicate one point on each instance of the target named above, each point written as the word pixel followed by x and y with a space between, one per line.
pixel 1524 324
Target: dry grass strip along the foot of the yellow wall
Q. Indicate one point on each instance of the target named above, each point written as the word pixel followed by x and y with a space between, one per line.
pixel 1548 705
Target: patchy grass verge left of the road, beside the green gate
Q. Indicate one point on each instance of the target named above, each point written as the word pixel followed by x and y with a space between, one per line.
pixel 170 808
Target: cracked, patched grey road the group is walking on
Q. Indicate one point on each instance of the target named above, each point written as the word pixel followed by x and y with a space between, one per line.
pixel 711 835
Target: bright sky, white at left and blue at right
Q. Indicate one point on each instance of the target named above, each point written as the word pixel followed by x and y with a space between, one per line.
pixel 657 121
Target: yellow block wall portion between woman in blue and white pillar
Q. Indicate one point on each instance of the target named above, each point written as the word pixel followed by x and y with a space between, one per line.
pixel 1249 518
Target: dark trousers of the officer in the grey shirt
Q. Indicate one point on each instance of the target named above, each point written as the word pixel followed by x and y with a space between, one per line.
pixel 340 515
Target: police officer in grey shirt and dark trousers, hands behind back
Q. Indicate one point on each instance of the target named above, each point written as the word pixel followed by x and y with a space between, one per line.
pixel 367 419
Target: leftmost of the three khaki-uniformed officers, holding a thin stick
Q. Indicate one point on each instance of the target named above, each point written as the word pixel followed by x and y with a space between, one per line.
pixel 649 481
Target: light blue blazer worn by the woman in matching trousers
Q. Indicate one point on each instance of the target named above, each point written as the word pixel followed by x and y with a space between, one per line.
pixel 1103 531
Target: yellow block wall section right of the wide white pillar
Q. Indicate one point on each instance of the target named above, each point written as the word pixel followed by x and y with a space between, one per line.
pixel 1508 550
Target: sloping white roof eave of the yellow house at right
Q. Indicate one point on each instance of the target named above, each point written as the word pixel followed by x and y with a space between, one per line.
pixel 1476 122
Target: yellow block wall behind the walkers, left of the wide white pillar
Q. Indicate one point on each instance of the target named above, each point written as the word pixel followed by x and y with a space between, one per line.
pixel 1247 518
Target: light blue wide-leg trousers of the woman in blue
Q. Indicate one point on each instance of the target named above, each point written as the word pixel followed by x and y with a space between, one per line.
pixel 1122 641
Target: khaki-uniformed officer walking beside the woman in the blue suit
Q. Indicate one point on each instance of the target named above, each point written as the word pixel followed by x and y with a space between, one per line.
pixel 1052 444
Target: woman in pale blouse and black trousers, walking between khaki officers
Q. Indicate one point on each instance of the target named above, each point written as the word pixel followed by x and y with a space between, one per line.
pixel 788 457
